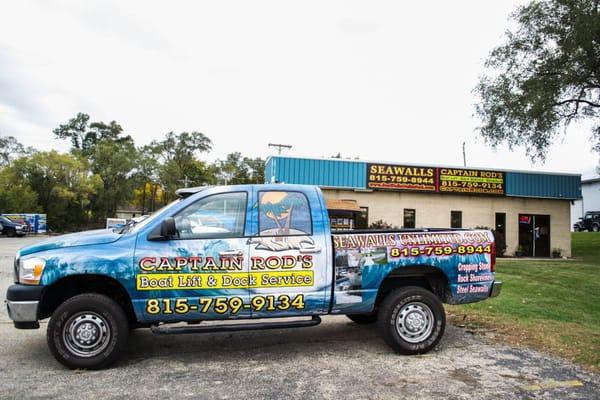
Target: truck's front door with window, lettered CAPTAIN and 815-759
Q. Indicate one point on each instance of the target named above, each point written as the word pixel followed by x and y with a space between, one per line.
pixel 203 273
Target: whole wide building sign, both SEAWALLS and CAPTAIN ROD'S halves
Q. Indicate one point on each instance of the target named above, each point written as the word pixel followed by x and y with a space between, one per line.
pixel 434 179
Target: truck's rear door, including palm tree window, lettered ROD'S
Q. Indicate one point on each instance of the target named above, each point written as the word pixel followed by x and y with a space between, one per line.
pixel 288 256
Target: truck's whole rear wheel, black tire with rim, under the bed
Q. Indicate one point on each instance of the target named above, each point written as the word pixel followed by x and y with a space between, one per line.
pixel 416 334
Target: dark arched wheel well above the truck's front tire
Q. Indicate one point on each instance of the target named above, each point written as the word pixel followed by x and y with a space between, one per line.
pixel 65 288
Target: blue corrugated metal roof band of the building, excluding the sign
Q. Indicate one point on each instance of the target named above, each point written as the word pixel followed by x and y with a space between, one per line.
pixel 352 174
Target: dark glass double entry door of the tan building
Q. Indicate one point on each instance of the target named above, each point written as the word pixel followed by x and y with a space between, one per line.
pixel 534 235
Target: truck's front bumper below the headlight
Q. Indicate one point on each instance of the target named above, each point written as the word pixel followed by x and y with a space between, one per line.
pixel 22 303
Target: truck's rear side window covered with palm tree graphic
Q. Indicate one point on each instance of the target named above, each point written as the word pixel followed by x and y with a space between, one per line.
pixel 283 214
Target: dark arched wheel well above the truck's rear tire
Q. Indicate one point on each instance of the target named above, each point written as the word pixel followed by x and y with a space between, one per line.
pixel 427 277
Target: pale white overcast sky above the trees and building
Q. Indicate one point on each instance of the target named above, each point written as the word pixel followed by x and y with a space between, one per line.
pixel 385 80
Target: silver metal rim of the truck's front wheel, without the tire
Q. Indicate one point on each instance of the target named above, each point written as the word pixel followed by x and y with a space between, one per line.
pixel 86 334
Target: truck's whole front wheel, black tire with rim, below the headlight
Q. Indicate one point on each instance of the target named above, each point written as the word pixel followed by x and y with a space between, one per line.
pixel 100 319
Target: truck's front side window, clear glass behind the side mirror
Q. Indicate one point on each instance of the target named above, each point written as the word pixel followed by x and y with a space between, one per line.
pixel 216 216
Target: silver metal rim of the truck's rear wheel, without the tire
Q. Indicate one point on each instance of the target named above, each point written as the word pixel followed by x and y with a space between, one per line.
pixel 414 322
